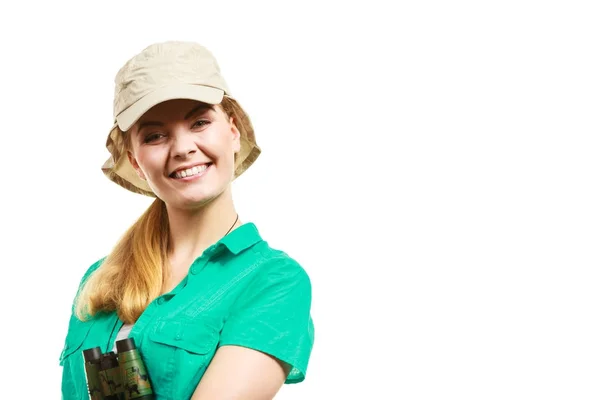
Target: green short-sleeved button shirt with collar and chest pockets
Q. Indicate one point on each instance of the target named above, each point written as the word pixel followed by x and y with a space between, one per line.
pixel 240 291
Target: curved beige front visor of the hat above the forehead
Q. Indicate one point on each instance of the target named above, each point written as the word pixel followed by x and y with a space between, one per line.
pixel 204 94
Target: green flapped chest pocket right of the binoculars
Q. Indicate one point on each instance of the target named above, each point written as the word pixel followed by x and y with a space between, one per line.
pixel 177 355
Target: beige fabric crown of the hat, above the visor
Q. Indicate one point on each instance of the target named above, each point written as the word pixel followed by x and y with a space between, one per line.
pixel 164 64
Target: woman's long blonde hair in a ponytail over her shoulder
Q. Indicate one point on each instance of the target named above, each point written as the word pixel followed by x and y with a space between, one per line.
pixel 133 274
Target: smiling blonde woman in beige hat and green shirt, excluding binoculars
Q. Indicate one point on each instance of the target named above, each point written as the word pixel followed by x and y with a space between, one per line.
pixel 215 312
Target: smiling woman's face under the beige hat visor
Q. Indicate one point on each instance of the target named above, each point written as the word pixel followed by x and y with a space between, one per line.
pixel 185 150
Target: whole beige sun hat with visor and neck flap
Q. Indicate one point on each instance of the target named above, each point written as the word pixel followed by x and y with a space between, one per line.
pixel 161 72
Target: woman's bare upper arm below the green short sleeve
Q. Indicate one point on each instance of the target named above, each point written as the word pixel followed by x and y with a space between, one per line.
pixel 241 373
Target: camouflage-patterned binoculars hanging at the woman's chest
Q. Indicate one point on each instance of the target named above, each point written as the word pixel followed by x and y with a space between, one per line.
pixel 120 376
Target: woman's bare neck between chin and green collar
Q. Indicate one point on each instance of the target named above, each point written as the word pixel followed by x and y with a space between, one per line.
pixel 192 231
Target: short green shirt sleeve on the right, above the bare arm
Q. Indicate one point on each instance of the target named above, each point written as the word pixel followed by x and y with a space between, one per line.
pixel 273 316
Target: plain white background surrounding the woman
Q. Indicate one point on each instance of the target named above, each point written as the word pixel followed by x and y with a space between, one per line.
pixel 433 165
